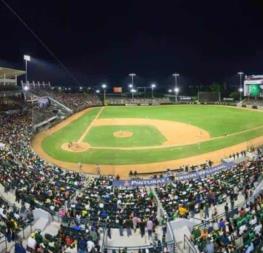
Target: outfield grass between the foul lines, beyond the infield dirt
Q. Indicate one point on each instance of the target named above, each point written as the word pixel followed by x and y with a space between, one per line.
pixel 217 120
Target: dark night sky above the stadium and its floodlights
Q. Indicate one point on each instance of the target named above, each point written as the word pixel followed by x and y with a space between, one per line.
pixel 99 41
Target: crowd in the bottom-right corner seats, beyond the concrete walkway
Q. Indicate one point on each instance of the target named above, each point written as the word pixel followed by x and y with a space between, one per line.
pixel 238 231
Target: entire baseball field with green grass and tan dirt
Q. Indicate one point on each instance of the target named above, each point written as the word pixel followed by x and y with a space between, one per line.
pixel 118 139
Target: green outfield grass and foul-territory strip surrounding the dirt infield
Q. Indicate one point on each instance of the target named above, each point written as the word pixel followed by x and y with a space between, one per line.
pixel 217 120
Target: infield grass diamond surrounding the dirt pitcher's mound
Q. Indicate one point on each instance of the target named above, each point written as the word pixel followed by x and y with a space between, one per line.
pixel 102 136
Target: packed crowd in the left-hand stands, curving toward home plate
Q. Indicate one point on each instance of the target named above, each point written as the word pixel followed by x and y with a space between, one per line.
pixel 22 171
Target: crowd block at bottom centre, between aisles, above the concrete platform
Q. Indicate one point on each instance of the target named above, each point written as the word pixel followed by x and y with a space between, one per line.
pixel 125 209
